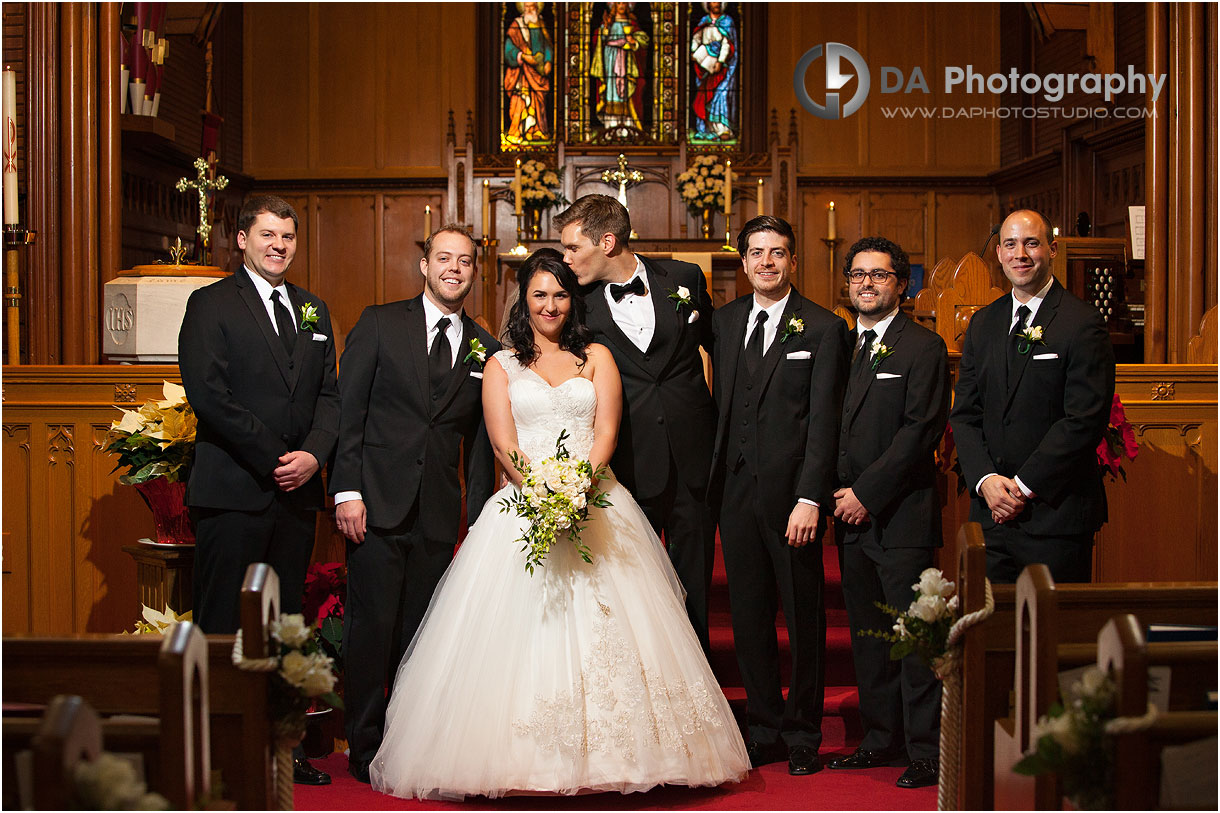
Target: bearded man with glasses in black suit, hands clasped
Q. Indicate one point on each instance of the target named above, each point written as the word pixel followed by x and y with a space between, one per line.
pixel 888 506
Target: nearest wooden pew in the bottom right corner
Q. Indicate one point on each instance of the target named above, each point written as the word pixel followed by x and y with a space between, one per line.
pixel 1123 651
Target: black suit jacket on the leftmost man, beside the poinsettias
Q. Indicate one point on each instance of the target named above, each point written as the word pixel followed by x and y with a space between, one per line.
pixel 254 403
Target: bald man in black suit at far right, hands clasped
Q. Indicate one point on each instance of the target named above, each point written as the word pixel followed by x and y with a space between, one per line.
pixel 1032 405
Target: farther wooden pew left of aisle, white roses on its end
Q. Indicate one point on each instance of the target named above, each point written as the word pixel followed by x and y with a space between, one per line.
pixel 118 676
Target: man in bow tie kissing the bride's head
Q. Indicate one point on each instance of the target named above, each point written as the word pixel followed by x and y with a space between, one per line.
pixel 655 316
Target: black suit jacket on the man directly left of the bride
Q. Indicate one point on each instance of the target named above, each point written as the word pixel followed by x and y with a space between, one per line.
pixel 398 445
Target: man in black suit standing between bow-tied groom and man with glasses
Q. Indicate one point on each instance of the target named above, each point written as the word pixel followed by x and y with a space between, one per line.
pixel 780 363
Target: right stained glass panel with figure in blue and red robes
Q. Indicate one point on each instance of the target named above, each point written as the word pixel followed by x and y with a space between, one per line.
pixel 713 58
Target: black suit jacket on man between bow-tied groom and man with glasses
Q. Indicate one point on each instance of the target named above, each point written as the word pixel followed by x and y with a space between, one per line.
pixel 797 411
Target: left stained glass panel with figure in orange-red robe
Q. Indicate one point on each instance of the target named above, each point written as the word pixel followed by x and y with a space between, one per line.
pixel 529 76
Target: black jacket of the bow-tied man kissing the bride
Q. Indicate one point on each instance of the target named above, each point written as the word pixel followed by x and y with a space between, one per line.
pixel 667 403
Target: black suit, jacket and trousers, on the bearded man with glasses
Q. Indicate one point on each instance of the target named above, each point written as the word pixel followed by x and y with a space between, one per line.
pixel 895 414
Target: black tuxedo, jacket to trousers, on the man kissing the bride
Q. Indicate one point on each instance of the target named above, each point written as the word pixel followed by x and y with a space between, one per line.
pixel 668 422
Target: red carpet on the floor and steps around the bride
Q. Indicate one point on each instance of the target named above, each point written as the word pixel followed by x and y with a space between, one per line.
pixel 769 789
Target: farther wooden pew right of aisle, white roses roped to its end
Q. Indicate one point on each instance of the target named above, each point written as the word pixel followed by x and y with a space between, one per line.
pixel 990 648
